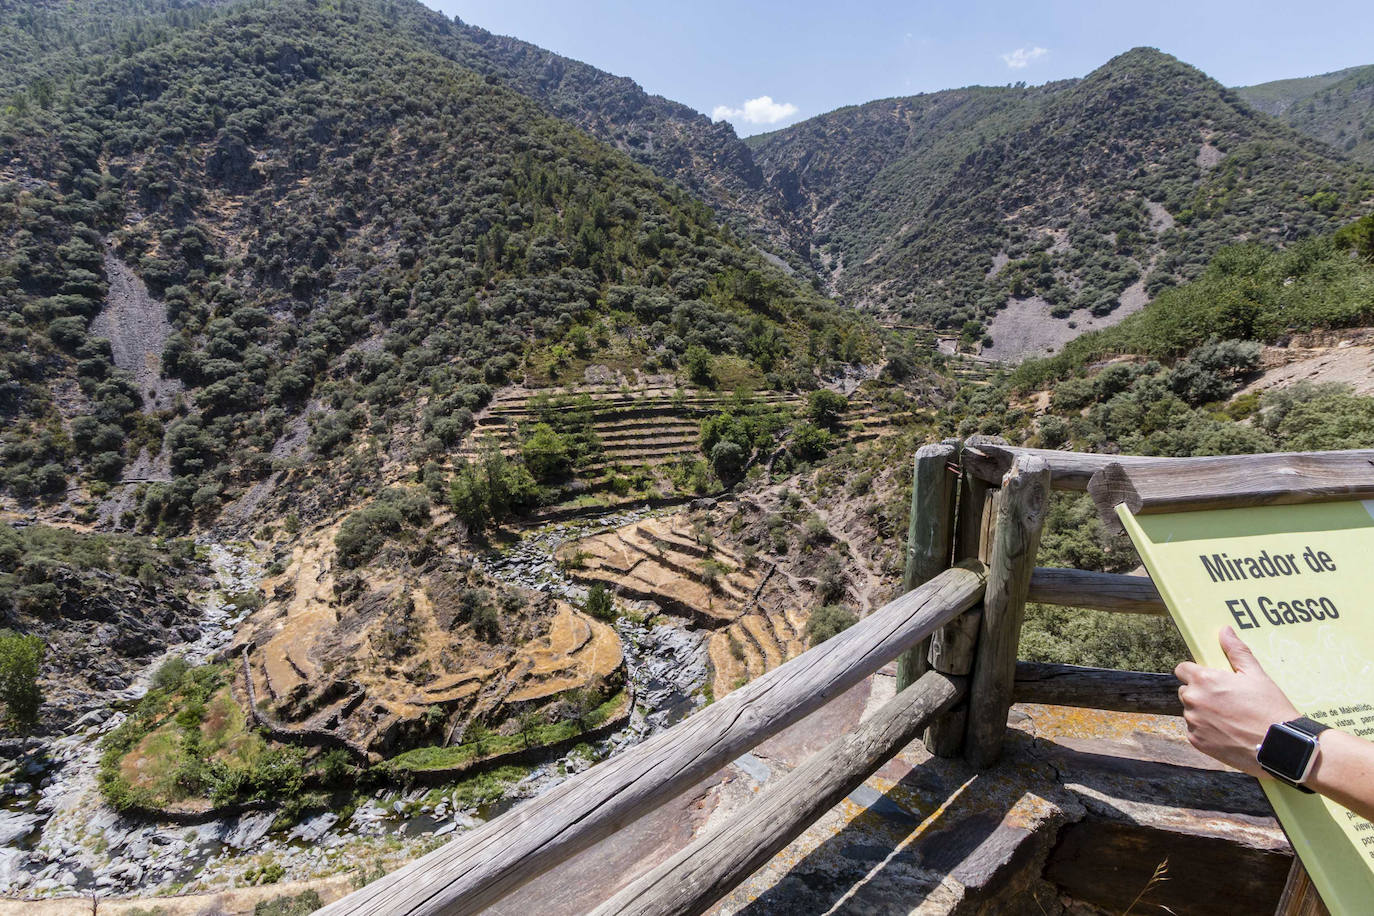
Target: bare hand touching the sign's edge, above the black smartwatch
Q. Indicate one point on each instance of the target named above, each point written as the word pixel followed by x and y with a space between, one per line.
pixel 1229 713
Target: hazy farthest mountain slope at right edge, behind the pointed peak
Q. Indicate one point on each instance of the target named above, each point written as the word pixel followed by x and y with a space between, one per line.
pixel 1335 108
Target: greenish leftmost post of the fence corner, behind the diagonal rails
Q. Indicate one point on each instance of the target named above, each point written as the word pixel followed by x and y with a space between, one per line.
pixel 930 536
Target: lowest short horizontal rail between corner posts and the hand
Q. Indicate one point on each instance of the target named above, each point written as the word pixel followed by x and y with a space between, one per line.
pixel 1097 689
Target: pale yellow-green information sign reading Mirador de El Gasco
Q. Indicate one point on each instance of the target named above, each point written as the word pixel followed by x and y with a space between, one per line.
pixel 1298 584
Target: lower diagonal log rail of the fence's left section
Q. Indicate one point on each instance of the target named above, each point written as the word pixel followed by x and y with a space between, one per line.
pixel 715 863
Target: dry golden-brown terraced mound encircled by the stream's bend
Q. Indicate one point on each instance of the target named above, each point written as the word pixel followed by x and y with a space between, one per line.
pixel 369 659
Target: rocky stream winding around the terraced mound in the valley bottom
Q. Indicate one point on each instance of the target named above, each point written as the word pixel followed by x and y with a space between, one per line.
pixel 58 837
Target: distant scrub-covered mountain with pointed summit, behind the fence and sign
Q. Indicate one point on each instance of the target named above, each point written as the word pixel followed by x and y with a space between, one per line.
pixel 1079 197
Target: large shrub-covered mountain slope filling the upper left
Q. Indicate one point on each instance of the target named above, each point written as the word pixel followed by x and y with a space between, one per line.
pixel 347 229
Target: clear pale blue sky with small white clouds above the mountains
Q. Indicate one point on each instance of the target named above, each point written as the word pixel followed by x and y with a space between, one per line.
pixel 767 65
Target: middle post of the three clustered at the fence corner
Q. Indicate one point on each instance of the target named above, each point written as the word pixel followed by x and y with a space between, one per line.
pixel 954 645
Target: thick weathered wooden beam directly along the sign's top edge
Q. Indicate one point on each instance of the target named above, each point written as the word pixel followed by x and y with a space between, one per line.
pixel 1222 483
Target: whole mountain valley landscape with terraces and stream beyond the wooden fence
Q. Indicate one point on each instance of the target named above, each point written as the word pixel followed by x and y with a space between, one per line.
pixel 401 420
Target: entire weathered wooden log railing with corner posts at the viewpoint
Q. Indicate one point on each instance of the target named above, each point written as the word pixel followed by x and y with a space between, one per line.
pixel 978 512
